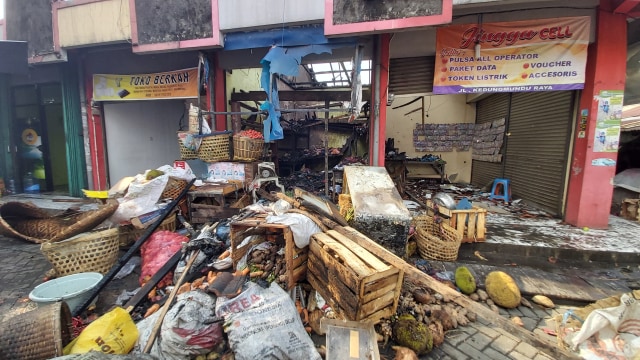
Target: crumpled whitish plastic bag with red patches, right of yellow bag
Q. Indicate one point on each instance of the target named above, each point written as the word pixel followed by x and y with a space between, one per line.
pixel 189 328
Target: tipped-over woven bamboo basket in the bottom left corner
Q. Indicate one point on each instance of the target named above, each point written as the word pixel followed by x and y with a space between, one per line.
pixel 38 334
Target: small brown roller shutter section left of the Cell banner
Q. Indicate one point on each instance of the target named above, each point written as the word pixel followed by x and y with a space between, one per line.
pixel 411 75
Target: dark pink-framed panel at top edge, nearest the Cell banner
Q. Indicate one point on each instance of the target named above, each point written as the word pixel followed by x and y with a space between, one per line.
pixel 354 11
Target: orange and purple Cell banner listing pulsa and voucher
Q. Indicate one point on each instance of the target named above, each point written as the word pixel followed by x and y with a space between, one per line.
pixel 519 56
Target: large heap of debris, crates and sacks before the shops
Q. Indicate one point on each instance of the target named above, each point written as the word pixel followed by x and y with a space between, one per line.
pixel 284 278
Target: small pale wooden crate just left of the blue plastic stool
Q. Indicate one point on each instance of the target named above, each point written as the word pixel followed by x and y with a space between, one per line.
pixel 470 223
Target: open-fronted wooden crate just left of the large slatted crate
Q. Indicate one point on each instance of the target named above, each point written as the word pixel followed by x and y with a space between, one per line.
pixel 295 257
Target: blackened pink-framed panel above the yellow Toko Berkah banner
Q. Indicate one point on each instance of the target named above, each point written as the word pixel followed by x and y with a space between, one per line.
pixel 161 21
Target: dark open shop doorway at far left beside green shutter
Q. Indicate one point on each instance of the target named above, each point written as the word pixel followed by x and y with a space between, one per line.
pixel 40 155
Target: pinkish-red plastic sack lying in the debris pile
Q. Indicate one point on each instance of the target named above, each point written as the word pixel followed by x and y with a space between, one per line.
pixel 160 247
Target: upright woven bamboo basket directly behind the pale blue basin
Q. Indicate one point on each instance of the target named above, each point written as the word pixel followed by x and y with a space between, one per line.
pixel 95 251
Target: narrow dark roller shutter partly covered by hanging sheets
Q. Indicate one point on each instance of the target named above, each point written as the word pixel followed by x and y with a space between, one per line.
pixel 487 110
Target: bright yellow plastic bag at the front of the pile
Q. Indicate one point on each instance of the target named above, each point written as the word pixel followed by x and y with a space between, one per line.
pixel 112 333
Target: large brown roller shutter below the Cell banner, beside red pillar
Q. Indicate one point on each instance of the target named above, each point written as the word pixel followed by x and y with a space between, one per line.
pixel 537 149
